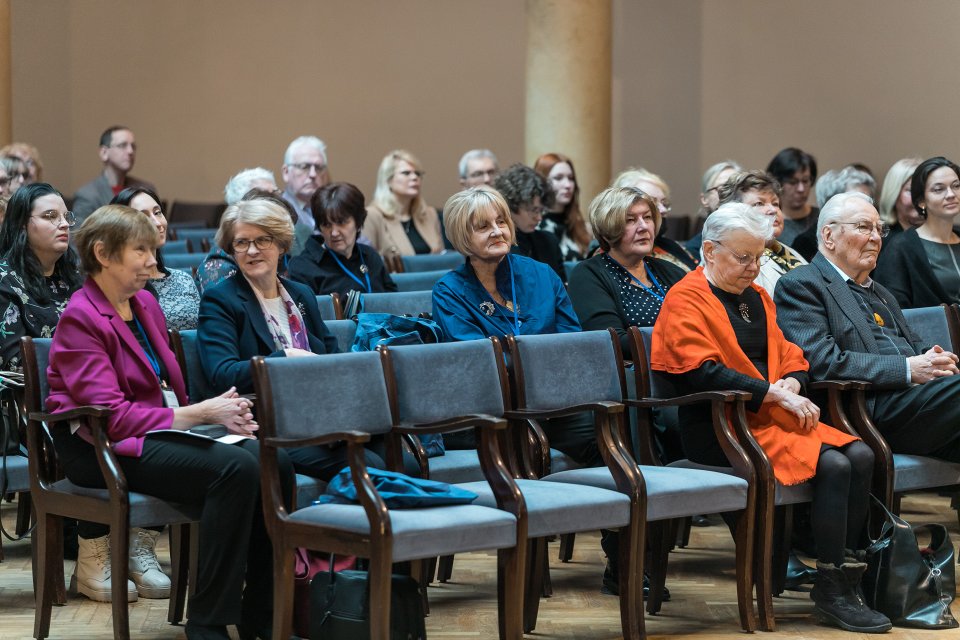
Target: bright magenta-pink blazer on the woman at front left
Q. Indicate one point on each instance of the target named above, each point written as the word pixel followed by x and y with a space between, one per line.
pixel 96 359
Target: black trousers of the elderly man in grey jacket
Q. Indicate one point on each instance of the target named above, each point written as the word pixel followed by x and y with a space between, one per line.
pixel 923 419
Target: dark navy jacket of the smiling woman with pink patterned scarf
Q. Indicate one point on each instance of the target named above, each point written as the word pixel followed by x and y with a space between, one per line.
pixel 232 330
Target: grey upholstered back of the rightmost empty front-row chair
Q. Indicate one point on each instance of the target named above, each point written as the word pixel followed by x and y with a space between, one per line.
pixel 565 369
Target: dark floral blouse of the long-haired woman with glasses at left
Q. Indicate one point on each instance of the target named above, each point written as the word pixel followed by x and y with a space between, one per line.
pixel 23 316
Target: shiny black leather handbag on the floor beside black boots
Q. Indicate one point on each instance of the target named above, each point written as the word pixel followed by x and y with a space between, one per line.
pixel 912 586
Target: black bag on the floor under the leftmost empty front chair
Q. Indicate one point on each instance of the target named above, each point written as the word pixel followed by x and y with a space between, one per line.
pixel 340 606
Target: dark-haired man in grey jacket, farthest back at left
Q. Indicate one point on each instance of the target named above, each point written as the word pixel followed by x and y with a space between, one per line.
pixel 118 152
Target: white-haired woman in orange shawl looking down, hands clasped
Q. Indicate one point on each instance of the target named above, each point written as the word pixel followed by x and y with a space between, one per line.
pixel 718 330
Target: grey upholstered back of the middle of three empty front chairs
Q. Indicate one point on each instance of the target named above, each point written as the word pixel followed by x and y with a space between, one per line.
pixel 440 381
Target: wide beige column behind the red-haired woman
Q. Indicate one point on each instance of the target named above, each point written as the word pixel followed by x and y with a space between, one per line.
pixel 569 58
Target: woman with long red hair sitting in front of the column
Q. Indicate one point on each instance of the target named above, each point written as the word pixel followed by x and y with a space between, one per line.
pixel 564 218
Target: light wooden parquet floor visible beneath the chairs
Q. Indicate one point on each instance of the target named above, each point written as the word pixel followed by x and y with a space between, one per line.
pixel 700 579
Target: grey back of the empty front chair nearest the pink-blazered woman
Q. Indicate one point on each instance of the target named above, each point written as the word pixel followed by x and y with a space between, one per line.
pixel 353 387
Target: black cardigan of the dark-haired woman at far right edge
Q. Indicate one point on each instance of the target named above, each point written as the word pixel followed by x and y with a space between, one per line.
pixel 903 268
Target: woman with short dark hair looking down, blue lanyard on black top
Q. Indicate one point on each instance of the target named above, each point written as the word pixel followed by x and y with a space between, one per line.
pixel 334 262
